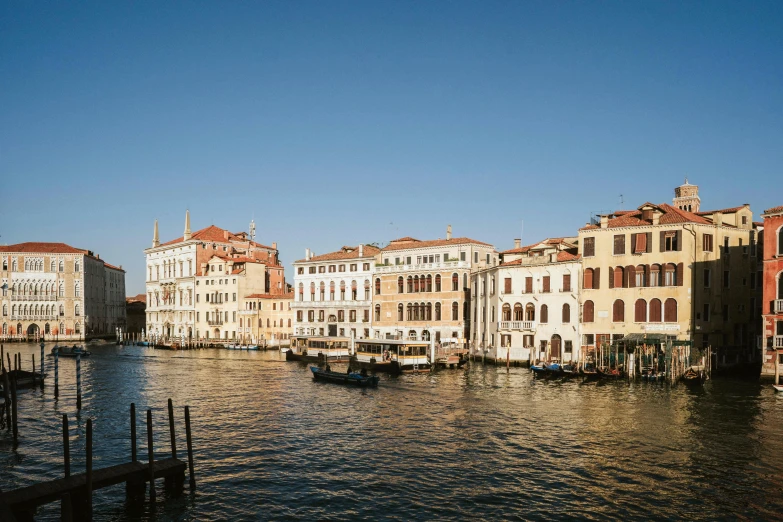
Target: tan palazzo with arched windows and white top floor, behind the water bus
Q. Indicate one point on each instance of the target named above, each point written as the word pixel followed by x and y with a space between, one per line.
pixel 421 289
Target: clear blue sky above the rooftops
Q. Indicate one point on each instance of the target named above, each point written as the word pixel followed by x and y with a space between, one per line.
pixel 335 123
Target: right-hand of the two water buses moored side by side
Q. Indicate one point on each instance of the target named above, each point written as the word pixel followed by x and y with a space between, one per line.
pixel 391 355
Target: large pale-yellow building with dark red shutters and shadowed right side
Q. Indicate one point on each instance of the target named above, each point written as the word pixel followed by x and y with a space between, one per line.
pixel 663 270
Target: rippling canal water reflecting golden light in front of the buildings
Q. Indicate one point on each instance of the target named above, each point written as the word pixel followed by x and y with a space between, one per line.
pixel 479 443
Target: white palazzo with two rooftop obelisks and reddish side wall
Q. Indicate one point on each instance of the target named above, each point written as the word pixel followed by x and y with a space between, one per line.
pixel 175 290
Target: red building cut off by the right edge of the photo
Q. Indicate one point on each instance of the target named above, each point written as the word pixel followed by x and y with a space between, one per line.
pixel 772 302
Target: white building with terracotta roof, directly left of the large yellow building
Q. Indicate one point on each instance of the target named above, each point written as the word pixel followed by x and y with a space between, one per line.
pixel 527 307
